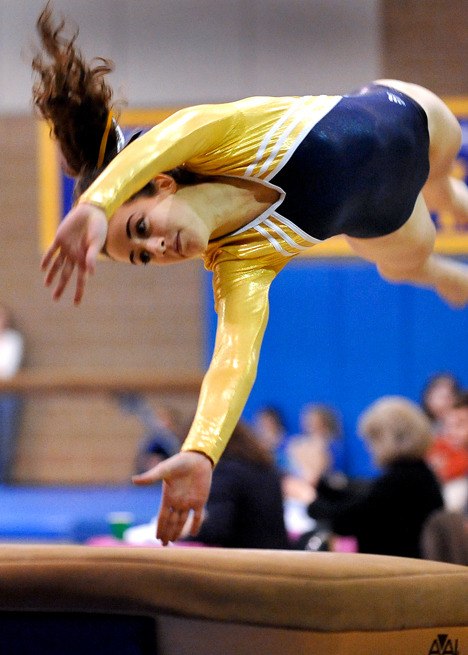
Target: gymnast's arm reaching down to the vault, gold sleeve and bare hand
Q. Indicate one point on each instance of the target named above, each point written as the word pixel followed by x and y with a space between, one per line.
pixel 241 295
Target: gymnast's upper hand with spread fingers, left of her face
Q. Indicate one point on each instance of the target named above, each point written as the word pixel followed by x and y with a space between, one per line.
pixel 78 241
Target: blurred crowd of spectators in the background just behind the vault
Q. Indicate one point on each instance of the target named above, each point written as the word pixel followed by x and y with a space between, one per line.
pixel 274 489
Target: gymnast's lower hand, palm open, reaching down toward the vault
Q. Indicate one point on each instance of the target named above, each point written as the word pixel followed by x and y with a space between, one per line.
pixel 186 479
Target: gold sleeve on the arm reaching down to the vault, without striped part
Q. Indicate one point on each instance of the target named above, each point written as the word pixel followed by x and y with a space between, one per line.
pixel 241 296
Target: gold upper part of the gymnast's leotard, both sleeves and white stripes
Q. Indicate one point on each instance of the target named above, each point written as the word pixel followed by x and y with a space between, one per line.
pixel 255 138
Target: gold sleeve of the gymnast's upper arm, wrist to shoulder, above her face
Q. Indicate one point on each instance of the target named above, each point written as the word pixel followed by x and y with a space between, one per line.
pixel 184 135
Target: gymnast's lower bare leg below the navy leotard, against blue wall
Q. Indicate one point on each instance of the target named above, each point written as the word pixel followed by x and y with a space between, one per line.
pixel 406 255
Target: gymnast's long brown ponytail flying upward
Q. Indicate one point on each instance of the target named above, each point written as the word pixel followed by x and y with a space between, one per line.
pixel 73 96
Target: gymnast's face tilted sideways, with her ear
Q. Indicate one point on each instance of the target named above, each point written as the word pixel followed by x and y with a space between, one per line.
pixel 161 229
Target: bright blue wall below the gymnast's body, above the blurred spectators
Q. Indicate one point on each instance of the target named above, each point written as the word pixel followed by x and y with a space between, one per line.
pixel 339 334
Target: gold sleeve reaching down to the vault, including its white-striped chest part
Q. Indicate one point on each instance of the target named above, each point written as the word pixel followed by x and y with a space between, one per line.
pixel 244 266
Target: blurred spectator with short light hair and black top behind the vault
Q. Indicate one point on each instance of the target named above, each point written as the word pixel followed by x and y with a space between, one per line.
pixel 389 516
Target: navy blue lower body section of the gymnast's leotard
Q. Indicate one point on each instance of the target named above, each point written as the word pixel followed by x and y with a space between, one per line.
pixel 360 168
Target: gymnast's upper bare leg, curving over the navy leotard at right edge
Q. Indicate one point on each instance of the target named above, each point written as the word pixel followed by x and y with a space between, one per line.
pixel 442 191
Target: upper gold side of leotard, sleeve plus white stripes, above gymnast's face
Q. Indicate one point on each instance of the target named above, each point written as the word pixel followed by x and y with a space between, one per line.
pixel 247 138
